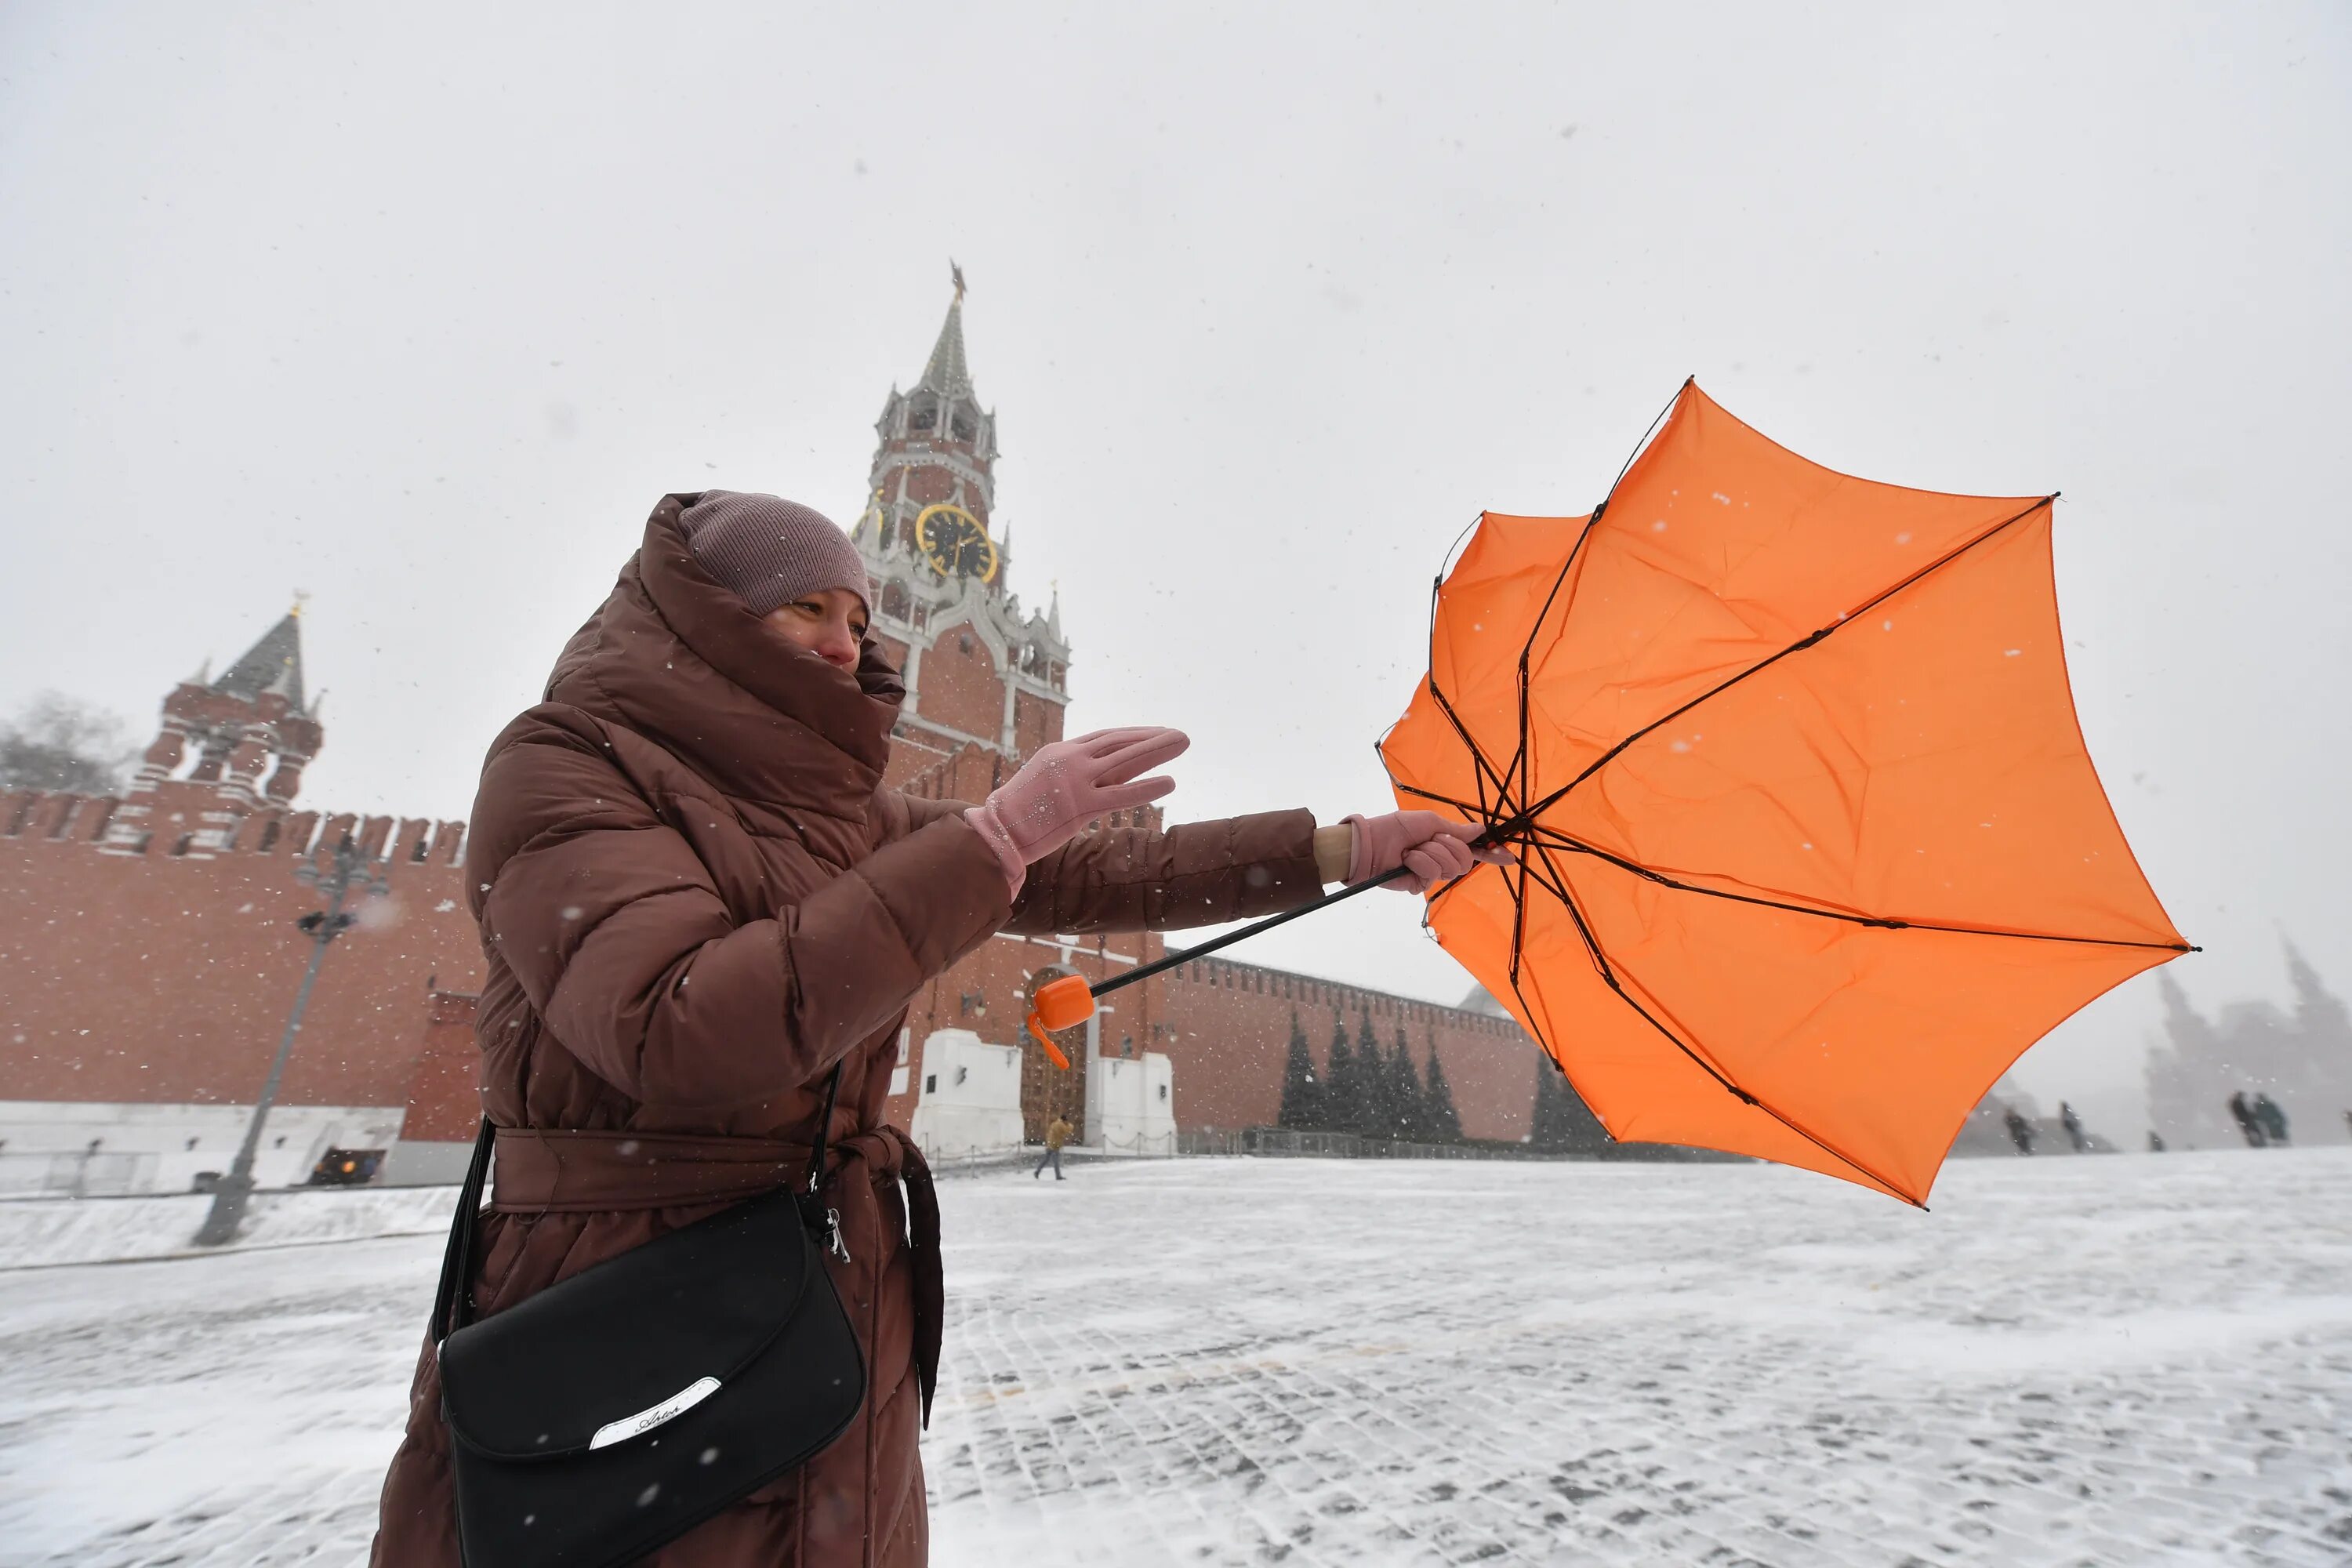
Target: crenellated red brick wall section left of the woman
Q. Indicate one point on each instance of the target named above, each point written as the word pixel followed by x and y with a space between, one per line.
pixel 156 979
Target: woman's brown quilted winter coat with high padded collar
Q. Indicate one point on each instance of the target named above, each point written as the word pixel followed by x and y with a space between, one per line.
pixel 697 899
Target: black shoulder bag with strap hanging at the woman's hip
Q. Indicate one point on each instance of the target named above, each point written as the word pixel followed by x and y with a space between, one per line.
pixel 636 1400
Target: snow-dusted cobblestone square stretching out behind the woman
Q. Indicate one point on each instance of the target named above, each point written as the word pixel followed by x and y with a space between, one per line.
pixel 2130 1360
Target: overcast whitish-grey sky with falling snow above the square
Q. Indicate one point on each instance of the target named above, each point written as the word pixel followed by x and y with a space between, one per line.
pixel 420 309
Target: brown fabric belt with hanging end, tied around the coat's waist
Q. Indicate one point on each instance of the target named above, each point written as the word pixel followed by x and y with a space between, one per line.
pixel 566 1172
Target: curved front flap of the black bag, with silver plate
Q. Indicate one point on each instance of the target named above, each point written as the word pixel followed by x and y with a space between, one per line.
pixel 624 1346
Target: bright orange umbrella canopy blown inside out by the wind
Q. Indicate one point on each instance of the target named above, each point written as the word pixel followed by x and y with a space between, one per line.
pixel 1810 843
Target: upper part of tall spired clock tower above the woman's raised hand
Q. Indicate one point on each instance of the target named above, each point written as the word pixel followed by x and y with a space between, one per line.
pixel 980 671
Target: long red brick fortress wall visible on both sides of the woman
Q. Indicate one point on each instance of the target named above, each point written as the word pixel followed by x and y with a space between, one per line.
pixel 182 972
